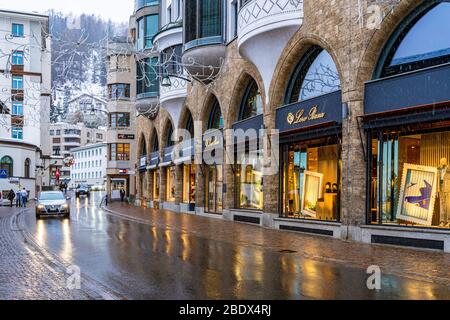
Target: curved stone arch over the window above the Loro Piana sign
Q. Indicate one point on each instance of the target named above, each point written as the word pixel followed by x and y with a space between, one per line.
pixel 298 47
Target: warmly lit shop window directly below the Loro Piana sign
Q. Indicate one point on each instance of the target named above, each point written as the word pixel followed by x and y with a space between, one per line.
pixel 310 180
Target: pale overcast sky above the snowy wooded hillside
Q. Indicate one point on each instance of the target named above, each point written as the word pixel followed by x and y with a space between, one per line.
pixel 116 10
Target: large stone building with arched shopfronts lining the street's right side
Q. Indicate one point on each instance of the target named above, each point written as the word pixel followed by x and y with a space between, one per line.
pixel 358 94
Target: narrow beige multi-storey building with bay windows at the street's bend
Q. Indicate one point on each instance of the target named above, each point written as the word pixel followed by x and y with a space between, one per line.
pixel 121 134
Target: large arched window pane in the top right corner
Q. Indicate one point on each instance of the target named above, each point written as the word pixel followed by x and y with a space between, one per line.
pixel 421 41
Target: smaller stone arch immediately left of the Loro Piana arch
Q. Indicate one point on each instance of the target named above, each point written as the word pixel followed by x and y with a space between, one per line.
pixel 239 90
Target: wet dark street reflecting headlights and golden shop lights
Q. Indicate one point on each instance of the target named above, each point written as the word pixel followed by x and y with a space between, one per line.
pixel 159 261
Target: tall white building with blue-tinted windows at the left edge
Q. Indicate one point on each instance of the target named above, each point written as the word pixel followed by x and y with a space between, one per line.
pixel 25 82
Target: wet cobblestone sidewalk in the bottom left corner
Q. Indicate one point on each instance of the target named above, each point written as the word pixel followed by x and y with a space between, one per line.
pixel 27 273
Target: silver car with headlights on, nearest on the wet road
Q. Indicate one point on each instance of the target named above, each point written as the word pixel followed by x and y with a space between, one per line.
pixel 51 203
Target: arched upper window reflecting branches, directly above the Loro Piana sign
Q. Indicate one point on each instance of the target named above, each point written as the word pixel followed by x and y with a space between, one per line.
pixel 315 75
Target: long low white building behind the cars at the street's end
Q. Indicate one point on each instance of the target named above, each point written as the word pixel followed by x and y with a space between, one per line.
pixel 89 165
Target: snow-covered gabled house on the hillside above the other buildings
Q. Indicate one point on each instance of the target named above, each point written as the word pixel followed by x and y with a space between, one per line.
pixel 89 109
